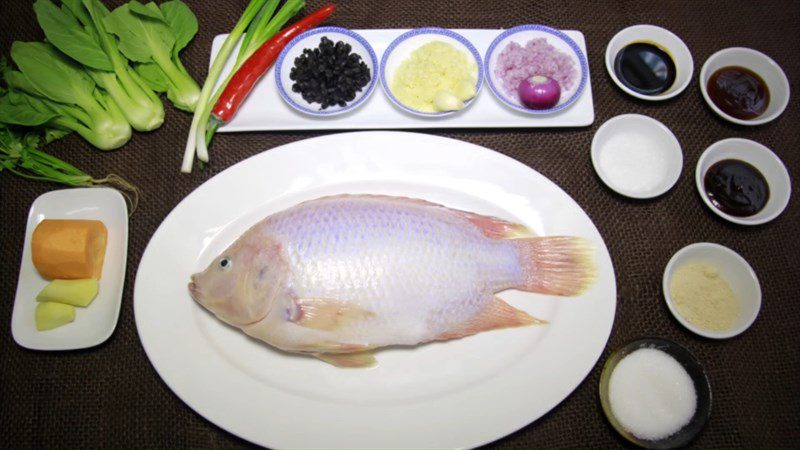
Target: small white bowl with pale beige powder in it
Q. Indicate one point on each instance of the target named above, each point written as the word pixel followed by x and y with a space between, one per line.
pixel 711 290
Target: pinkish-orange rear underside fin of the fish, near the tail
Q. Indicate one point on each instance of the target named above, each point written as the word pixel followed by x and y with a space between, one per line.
pixel 497 314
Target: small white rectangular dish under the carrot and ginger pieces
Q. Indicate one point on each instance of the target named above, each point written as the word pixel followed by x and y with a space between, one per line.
pixel 95 323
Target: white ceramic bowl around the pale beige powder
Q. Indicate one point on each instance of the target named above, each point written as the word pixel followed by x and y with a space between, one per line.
pixel 734 269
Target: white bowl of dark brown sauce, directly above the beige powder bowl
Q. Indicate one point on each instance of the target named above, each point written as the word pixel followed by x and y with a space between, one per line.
pixel 743 181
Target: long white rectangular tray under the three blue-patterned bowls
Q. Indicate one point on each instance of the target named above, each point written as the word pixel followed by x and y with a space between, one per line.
pixel 264 110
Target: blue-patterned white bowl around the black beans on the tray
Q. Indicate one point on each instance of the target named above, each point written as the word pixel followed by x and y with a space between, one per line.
pixel 311 39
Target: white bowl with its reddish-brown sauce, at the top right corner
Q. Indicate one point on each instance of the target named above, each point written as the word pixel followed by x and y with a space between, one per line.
pixel 744 86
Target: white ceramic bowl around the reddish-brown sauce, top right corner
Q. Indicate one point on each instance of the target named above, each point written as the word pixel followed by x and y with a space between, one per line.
pixel 761 64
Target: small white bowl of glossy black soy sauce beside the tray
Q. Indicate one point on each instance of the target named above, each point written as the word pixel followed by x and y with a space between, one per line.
pixel 649 62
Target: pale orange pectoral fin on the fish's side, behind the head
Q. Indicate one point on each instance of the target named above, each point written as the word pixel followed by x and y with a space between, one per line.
pixel 326 314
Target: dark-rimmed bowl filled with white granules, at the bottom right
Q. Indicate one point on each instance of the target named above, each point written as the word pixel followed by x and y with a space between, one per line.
pixel 655 393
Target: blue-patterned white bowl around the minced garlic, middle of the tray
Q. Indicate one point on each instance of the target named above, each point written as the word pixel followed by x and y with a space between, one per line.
pixel 401 48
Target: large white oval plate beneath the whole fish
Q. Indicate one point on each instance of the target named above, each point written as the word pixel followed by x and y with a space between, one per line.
pixel 434 395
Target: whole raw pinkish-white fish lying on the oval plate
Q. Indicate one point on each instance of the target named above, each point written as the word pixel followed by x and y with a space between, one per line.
pixel 343 274
